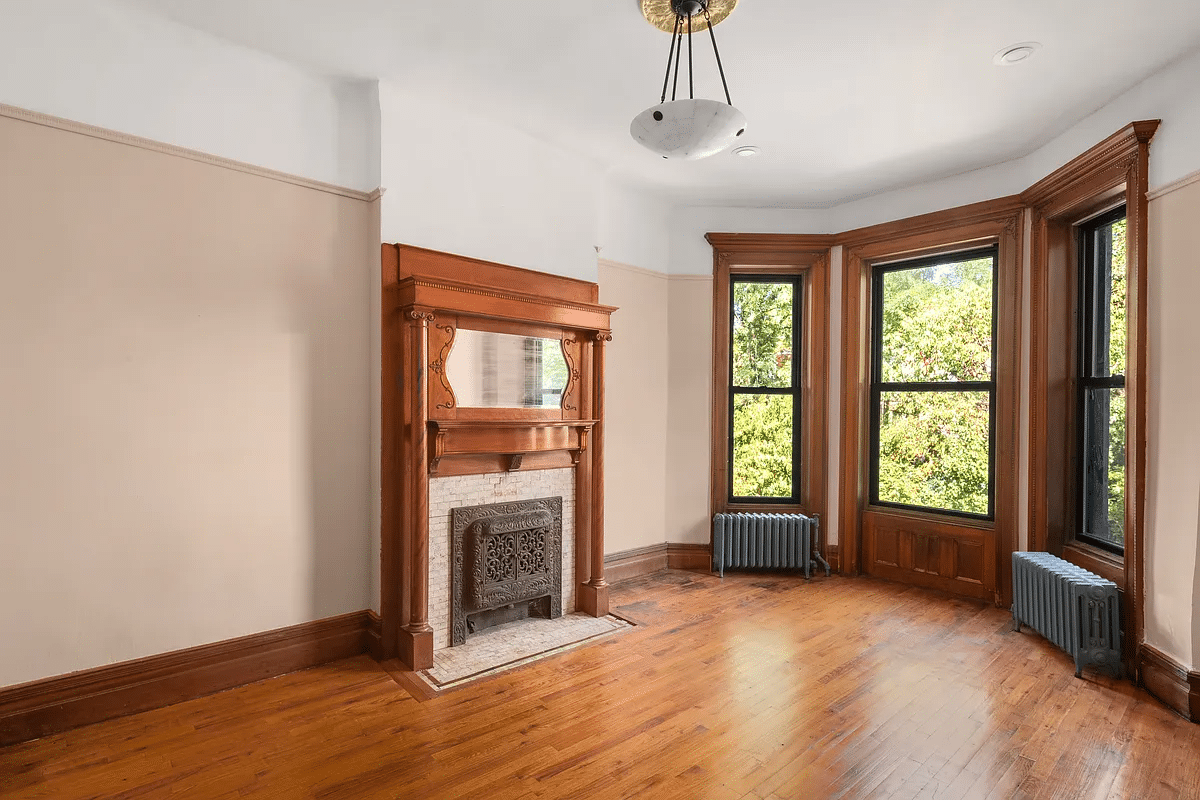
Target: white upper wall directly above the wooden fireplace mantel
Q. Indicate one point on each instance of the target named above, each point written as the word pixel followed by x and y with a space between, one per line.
pixel 463 184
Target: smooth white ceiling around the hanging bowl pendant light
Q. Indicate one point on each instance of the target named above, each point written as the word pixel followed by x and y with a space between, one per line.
pixel 845 100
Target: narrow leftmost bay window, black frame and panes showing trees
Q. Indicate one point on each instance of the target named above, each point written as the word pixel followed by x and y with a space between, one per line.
pixel 765 398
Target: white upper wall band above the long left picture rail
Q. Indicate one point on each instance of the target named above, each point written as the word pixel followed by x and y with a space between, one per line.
pixel 101 63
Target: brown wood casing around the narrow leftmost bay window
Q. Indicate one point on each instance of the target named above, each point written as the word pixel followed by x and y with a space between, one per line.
pixel 764 256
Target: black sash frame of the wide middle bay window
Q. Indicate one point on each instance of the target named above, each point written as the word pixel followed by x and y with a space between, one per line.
pixel 878 387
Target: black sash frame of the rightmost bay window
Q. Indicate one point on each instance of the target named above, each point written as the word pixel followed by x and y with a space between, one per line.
pixel 1085 383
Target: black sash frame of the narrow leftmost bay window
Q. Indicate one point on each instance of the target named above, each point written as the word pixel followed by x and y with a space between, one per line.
pixel 795 390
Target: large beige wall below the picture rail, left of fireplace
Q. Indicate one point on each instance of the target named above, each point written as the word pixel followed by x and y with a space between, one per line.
pixel 185 417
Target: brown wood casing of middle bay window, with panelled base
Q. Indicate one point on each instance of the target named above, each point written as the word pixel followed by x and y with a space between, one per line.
pixel 958 555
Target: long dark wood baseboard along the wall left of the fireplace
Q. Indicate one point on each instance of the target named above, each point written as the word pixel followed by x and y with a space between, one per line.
pixel 56 705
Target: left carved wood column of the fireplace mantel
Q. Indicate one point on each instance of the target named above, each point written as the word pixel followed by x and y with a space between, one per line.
pixel 417 637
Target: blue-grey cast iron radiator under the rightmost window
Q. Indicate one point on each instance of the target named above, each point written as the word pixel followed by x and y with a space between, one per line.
pixel 1075 609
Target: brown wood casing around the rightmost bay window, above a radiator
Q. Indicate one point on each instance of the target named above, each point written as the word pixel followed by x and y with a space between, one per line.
pixel 1111 175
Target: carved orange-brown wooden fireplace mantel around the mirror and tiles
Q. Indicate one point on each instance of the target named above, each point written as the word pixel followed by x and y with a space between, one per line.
pixel 428 298
